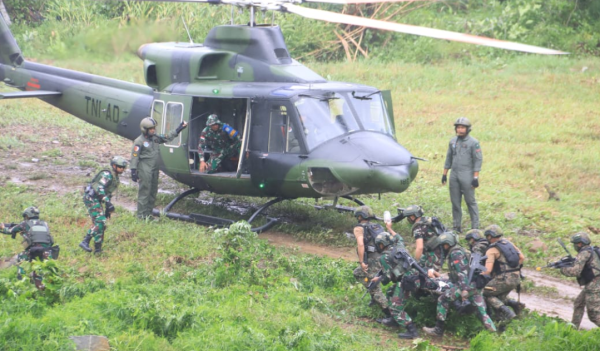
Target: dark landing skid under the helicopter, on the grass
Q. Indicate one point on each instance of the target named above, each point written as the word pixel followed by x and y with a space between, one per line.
pixel 211 220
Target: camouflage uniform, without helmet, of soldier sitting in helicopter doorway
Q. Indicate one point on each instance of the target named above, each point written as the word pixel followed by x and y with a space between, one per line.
pixel 224 143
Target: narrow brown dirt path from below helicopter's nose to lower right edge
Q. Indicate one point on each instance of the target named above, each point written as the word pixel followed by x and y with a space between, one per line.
pixel 561 306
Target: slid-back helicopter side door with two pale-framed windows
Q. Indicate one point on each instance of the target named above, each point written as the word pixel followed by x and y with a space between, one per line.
pixel 169 111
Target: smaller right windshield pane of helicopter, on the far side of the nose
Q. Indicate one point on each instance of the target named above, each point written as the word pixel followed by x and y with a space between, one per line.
pixel 371 112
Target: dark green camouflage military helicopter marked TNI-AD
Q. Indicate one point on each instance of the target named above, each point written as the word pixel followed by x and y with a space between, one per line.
pixel 302 136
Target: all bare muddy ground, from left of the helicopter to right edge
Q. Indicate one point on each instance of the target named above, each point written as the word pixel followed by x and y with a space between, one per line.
pixel 48 163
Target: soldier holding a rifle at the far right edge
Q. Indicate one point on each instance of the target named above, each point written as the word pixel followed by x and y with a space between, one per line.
pixel 587 270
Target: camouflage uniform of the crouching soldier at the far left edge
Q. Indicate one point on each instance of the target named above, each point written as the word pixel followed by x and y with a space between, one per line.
pixel 42 241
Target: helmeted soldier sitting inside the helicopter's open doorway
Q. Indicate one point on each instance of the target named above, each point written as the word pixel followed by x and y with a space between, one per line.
pixel 224 143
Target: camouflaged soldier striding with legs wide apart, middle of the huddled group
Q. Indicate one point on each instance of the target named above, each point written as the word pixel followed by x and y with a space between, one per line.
pixel 460 286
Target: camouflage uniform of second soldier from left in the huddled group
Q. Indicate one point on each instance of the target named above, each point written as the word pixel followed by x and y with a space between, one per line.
pixel 398 297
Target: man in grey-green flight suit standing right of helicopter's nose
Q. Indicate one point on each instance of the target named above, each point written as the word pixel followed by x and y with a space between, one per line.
pixel 464 158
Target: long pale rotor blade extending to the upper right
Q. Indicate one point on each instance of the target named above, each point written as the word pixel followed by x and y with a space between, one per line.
pixel 410 29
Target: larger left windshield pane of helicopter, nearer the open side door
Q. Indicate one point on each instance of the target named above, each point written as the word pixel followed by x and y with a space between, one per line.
pixel 324 118
